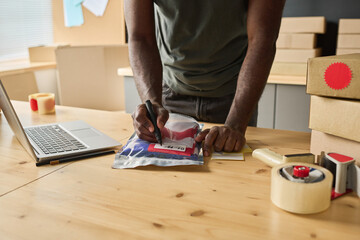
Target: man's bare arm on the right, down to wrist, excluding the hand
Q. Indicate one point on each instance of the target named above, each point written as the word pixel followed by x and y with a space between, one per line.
pixel 263 23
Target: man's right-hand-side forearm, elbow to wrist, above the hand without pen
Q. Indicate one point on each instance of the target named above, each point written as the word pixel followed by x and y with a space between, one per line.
pixel 251 82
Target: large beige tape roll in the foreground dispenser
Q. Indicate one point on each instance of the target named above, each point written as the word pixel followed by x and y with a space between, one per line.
pixel 301 197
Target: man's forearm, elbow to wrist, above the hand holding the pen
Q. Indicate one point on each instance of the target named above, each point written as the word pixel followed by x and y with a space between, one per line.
pixel 146 65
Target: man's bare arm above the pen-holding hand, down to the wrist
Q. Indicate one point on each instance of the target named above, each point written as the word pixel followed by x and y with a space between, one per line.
pixel 143 52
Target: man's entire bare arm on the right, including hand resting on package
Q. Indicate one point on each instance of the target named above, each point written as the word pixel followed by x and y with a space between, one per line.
pixel 263 23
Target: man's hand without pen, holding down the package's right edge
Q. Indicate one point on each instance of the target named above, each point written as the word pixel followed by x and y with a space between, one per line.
pixel 222 138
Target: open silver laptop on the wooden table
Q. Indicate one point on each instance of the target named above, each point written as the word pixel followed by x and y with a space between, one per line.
pixel 58 142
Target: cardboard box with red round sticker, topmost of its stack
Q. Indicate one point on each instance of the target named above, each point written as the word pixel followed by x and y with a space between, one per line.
pixel 334 76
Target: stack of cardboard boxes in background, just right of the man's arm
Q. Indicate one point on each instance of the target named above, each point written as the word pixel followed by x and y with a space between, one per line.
pixel 296 43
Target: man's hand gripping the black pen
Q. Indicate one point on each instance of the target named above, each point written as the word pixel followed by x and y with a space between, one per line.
pixel 142 124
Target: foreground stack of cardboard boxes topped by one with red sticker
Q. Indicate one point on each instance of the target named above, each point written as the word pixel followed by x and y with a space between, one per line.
pixel 334 83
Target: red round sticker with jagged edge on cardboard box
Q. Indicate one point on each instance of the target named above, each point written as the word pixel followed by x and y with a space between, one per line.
pixel 338 76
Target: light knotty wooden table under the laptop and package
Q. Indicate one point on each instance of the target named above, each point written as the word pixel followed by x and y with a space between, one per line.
pixel 88 199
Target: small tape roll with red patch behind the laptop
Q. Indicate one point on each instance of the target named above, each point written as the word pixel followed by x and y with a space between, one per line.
pixel 43 103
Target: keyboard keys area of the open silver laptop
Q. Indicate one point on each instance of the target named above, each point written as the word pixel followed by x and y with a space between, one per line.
pixel 53 139
